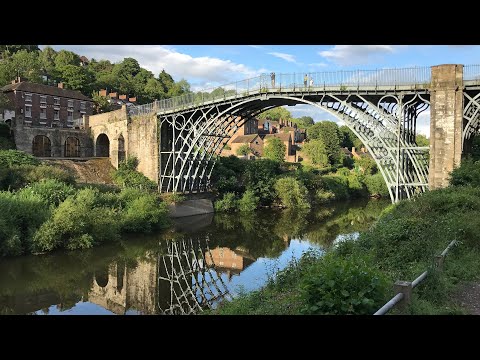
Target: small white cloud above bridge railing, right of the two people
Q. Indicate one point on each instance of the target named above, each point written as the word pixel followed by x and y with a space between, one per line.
pixel 356 54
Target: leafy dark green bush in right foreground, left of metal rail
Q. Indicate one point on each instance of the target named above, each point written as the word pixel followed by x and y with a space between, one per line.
pixel 341 286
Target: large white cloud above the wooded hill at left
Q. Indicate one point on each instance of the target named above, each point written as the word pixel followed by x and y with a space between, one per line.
pixel 197 70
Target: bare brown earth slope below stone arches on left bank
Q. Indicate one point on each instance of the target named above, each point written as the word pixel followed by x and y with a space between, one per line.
pixel 95 170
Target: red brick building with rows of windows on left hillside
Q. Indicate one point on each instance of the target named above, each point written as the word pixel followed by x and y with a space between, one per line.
pixel 47 106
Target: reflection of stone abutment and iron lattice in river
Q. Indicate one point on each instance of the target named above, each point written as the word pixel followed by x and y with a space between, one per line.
pixel 185 277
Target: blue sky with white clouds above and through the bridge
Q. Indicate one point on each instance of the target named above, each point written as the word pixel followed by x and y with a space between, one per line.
pixel 206 66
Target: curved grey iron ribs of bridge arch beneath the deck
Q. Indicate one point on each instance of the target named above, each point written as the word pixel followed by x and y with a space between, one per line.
pixel 375 125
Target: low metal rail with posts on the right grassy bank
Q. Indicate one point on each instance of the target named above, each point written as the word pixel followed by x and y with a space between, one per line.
pixel 405 287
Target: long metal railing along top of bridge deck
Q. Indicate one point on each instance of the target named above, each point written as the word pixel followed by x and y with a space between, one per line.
pixel 292 82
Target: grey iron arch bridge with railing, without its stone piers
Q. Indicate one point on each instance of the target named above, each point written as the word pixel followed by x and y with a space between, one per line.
pixel 380 106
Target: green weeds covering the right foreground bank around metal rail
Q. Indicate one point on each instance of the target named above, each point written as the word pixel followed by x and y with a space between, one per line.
pixel 357 276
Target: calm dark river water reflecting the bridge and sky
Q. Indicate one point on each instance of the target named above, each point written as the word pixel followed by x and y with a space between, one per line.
pixel 195 264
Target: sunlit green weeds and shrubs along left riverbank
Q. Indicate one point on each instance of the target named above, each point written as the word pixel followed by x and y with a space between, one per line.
pixel 42 209
